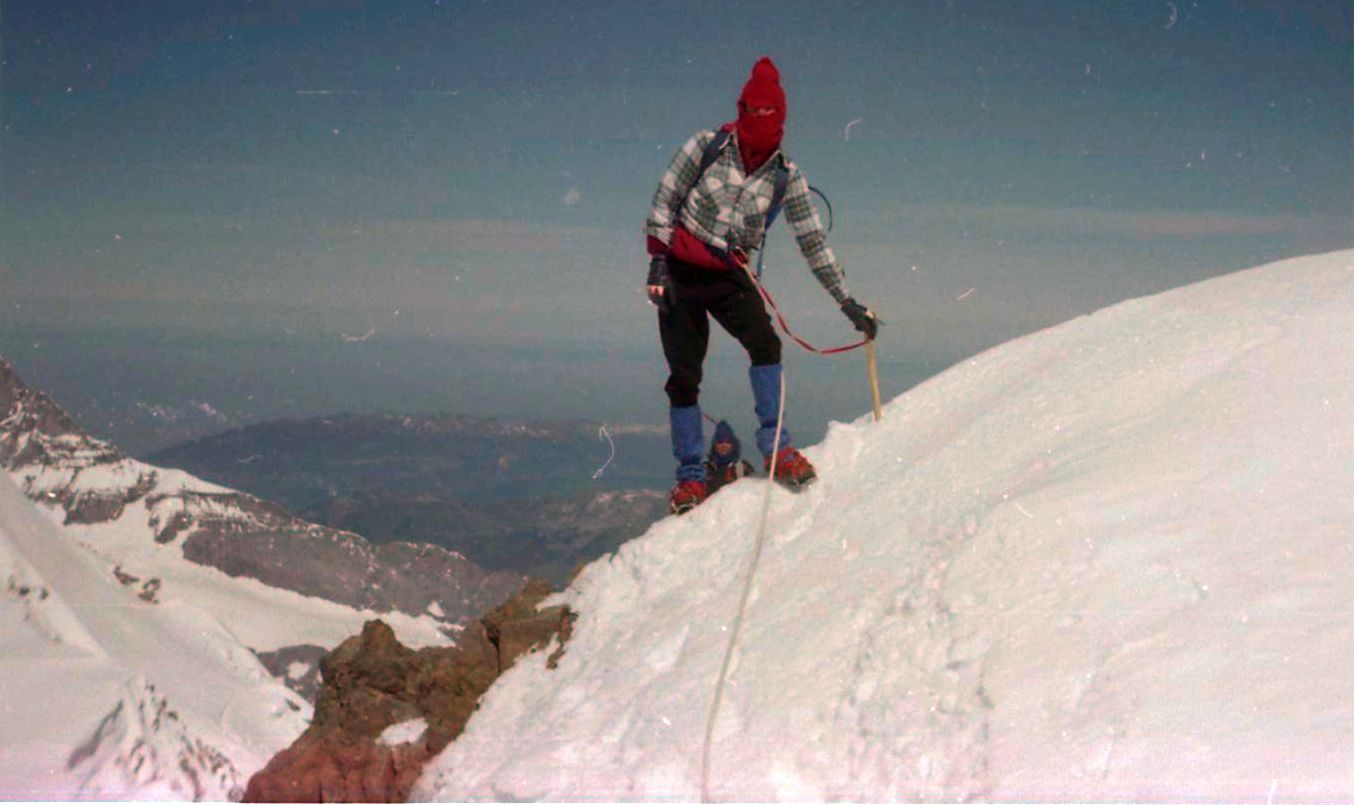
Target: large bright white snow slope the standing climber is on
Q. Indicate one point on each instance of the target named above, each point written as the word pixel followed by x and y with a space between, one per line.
pixel 1108 561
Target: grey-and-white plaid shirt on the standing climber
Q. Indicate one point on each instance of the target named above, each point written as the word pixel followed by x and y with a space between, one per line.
pixel 729 209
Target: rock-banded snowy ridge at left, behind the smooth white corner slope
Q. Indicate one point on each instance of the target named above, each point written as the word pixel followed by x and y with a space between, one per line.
pixel 173 536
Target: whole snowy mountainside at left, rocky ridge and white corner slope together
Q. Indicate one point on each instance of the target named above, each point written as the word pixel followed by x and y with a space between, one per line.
pixel 151 623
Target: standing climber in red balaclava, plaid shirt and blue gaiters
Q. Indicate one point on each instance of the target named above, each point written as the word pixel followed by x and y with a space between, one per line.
pixel 701 229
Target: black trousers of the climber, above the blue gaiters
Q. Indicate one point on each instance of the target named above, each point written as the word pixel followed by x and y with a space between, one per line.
pixel 701 294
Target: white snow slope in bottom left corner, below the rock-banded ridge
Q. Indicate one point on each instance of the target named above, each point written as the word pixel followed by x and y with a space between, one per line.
pixel 108 696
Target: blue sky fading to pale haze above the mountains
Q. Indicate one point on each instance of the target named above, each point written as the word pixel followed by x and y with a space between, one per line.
pixel 476 174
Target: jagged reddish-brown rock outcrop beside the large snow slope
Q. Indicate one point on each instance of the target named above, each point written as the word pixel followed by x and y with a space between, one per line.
pixel 372 684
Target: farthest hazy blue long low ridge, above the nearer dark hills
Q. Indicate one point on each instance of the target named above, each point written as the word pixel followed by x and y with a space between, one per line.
pixel 303 463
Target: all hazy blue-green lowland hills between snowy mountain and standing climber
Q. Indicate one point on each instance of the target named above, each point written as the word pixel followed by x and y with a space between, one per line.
pixel 534 499
